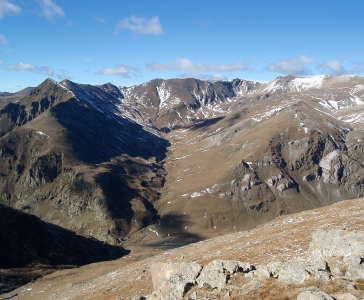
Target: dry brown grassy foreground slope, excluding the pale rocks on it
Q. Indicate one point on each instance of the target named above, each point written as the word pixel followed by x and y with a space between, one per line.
pixel 284 238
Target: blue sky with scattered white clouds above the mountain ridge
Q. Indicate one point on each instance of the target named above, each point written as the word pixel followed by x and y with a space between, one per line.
pixel 131 42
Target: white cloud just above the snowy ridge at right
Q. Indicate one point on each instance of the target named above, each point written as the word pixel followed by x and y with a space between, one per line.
pixel 292 66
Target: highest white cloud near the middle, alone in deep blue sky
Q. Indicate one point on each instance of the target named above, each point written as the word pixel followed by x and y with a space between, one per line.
pixel 140 25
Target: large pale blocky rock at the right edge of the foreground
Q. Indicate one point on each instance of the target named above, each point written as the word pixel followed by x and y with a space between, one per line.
pixel 339 251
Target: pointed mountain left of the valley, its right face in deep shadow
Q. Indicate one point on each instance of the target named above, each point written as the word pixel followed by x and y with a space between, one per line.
pixel 78 166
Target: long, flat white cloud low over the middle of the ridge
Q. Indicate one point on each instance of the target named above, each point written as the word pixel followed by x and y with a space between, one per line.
pixel 184 64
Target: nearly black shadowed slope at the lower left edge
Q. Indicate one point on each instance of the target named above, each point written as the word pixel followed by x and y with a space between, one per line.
pixel 27 240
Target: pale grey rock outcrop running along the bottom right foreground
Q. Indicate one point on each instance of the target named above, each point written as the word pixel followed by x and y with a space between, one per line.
pixel 333 255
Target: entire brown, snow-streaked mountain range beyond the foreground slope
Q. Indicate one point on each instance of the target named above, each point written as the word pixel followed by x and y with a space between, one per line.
pixel 182 159
